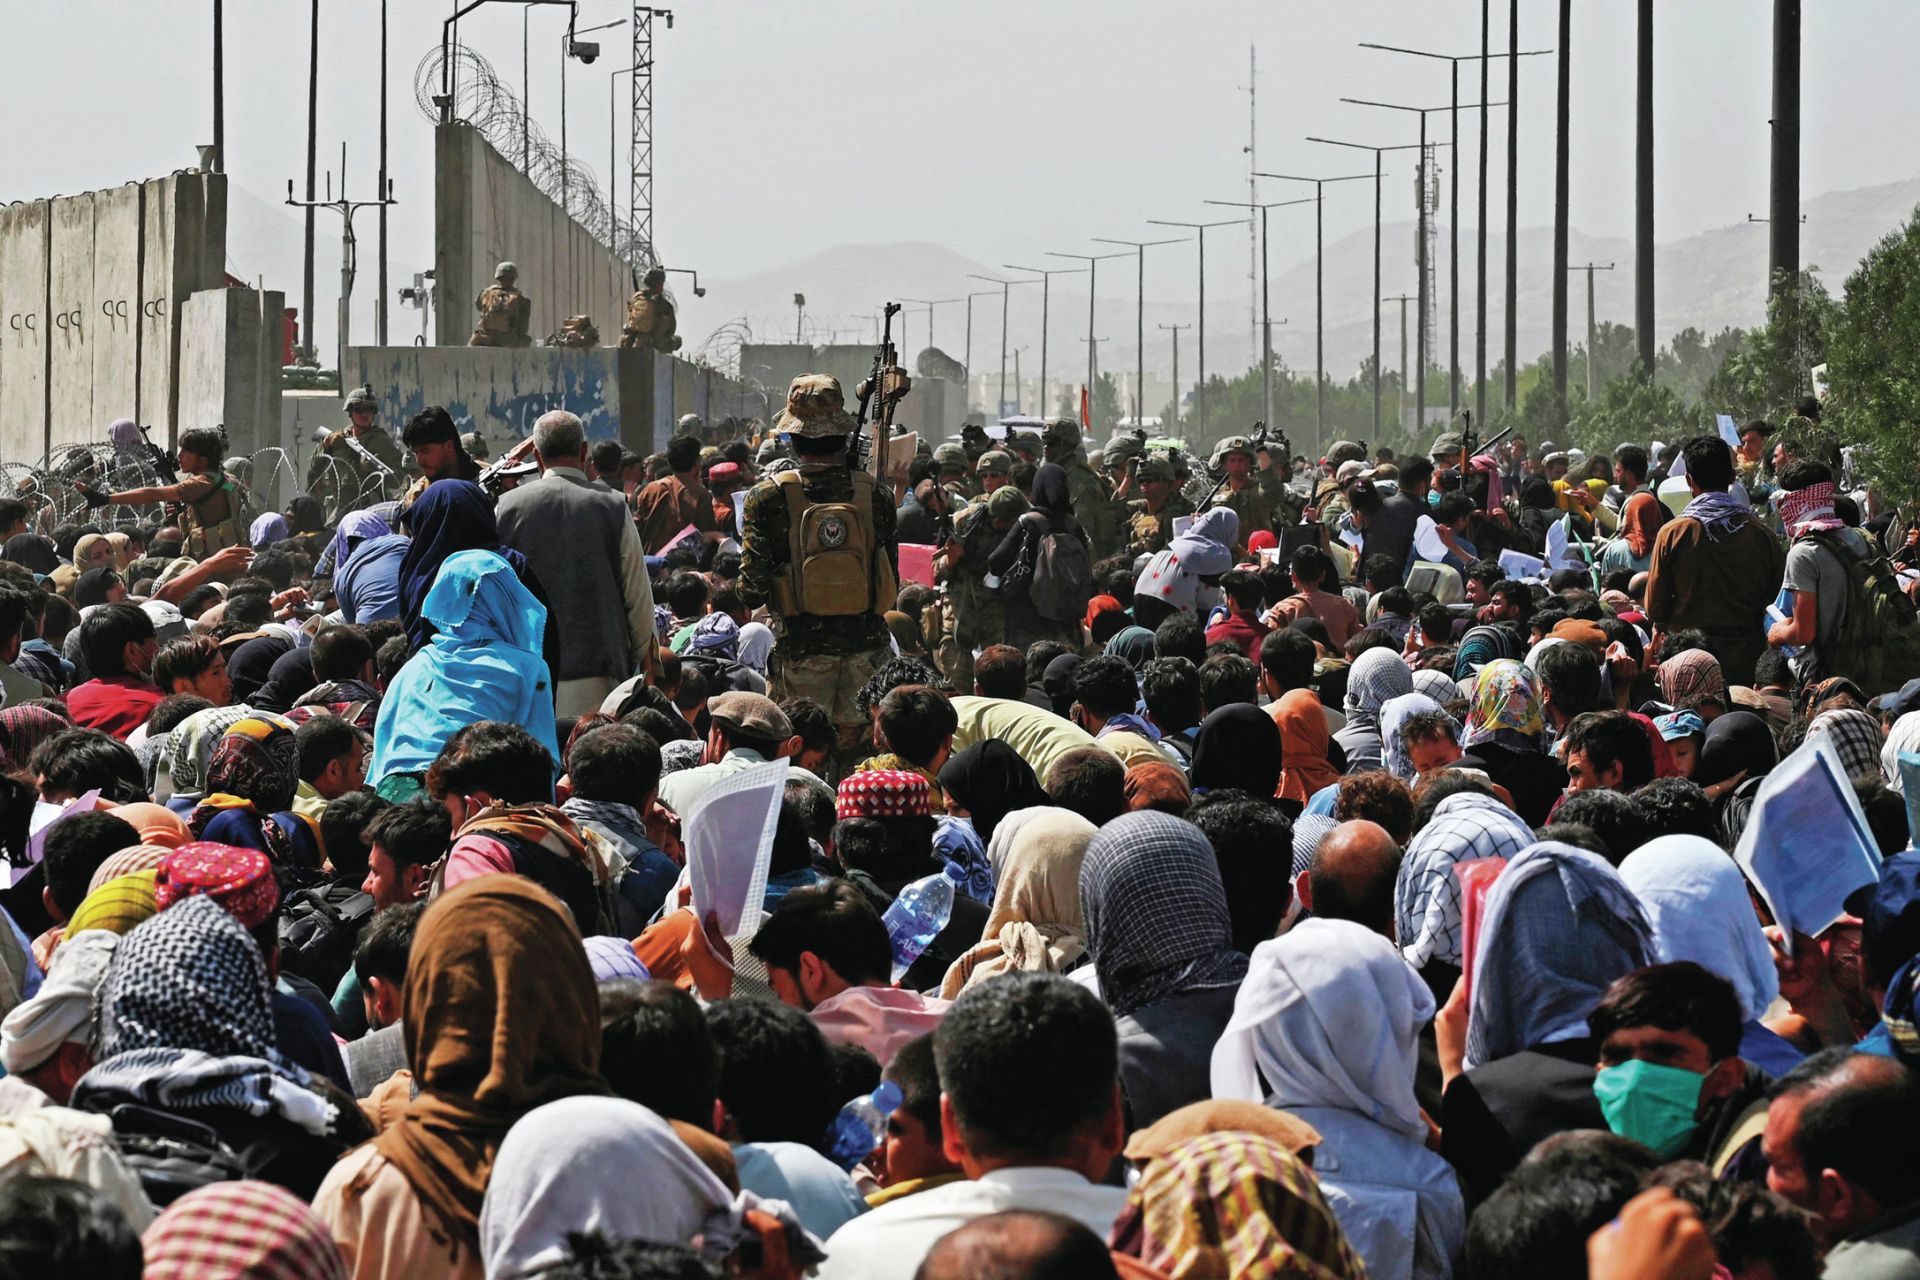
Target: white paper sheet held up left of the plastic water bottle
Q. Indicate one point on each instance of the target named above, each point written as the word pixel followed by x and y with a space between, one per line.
pixel 731 843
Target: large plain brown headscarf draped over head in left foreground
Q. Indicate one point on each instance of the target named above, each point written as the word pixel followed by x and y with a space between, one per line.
pixel 502 1016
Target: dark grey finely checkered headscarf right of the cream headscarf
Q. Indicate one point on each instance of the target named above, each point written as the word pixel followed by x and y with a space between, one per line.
pixel 1157 913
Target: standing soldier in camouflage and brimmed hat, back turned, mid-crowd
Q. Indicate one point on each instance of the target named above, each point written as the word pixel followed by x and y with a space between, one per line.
pixel 825 657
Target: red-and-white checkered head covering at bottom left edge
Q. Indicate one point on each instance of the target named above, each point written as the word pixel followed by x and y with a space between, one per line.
pixel 241 1229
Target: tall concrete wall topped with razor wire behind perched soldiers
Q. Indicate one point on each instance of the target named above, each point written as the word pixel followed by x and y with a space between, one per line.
pixel 489 212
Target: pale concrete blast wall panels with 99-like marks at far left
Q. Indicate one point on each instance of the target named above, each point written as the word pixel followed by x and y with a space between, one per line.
pixel 91 298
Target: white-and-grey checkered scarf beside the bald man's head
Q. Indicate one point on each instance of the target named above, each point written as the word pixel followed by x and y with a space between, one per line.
pixel 1466 828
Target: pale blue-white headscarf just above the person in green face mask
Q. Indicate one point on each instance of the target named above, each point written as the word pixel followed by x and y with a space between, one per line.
pixel 1700 911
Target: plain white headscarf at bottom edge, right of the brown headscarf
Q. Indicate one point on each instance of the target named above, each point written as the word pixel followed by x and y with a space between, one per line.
pixel 606 1166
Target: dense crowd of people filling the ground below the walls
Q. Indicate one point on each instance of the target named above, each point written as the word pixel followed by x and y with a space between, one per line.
pixel 1326 876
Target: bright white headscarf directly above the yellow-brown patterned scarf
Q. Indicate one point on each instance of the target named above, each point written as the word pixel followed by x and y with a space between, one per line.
pixel 1328 1016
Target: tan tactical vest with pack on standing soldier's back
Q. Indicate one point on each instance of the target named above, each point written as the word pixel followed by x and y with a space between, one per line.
pixel 836 567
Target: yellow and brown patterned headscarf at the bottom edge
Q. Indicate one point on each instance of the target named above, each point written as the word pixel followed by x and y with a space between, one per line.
pixel 1234 1206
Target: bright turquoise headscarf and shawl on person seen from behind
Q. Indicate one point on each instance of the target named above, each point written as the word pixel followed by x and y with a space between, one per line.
pixel 483 665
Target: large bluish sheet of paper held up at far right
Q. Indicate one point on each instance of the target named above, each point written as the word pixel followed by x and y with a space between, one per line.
pixel 1808 845
